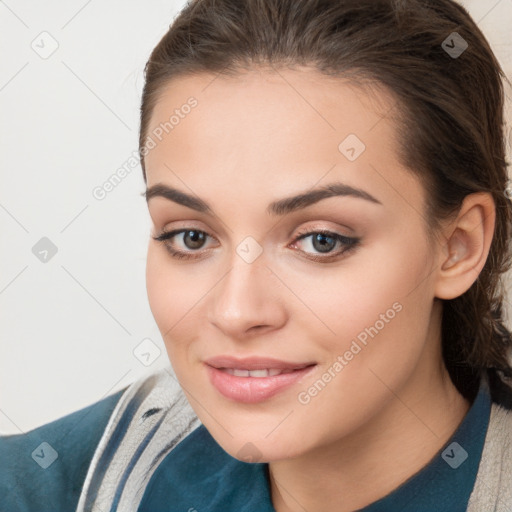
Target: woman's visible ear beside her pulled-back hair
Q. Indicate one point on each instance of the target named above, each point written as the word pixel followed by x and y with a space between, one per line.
pixel 467 242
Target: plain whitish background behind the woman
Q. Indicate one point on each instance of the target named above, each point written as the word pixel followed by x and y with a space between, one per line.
pixel 68 327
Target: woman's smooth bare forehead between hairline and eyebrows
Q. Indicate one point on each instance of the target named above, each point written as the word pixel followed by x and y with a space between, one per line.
pixel 276 126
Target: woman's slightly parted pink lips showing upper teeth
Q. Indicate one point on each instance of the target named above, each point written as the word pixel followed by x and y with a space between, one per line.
pixel 254 379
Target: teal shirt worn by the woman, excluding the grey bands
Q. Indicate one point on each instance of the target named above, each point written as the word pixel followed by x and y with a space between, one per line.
pixel 198 474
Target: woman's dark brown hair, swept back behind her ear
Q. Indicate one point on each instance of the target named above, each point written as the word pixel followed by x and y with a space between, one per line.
pixel 450 110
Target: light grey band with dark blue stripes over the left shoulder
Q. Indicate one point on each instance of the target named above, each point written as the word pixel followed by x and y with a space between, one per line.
pixel 153 417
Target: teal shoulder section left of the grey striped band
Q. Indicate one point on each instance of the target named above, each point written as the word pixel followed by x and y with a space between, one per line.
pixel 44 469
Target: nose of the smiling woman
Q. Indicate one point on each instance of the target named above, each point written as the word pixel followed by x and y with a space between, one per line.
pixel 247 301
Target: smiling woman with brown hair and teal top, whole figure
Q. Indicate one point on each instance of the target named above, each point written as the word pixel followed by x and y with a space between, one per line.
pixel 328 190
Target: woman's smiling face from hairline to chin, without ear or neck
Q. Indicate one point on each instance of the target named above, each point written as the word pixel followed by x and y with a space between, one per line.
pixel 287 321
